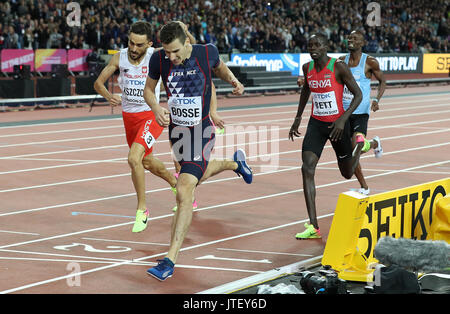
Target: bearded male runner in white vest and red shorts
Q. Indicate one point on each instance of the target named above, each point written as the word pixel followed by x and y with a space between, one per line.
pixel 140 124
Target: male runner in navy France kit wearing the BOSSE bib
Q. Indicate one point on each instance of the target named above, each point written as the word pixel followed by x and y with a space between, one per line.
pixel 186 72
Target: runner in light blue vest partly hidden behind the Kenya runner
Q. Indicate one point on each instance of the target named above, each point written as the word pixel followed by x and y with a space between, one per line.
pixel 363 67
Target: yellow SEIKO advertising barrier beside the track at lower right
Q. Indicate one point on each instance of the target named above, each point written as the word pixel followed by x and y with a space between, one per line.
pixel 360 221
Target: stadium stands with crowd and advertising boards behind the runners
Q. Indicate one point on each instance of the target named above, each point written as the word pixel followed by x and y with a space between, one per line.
pixel 52 51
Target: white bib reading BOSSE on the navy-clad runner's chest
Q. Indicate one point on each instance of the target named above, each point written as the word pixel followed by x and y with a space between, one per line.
pixel 185 111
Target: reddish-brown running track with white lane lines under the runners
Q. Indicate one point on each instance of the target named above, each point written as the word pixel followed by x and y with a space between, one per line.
pixel 67 203
